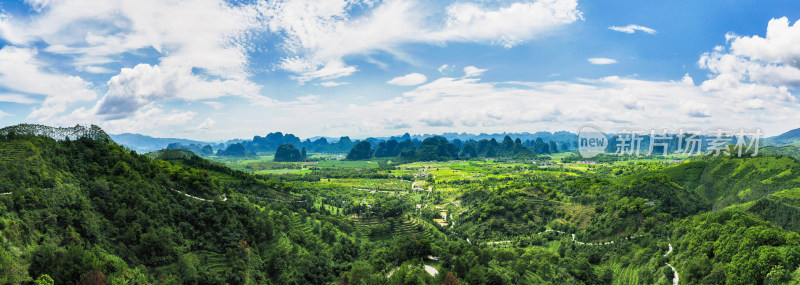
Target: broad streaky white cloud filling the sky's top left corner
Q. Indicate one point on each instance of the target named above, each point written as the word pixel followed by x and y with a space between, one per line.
pixel 97 32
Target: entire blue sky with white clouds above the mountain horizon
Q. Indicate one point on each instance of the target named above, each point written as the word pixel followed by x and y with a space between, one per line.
pixel 214 69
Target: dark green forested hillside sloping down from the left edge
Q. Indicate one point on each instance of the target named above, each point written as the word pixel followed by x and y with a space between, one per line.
pixel 83 208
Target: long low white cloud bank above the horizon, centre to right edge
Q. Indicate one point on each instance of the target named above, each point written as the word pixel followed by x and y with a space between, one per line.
pixel 469 104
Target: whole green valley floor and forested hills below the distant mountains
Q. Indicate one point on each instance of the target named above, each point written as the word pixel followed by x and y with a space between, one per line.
pixel 88 211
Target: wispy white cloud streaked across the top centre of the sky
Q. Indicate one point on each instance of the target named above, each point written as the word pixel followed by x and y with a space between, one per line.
pixel 318 35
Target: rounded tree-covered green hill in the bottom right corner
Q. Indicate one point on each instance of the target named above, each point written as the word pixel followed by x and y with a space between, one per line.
pixel 734 247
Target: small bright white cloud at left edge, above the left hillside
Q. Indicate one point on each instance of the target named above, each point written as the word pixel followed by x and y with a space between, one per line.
pixel 20 71
